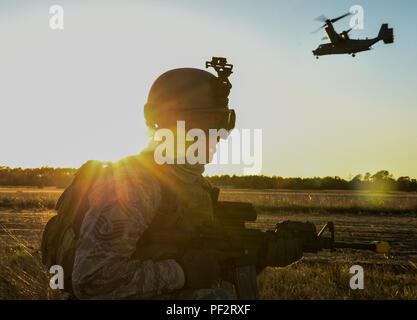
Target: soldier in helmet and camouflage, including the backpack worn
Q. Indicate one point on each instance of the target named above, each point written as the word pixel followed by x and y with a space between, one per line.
pixel 105 217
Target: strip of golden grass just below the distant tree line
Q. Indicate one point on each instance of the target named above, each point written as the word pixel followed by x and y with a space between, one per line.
pixel 271 200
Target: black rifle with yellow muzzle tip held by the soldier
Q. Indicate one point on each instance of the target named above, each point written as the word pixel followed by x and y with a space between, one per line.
pixel 243 251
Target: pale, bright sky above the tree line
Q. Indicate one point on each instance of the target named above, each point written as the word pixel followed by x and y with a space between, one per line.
pixel 76 94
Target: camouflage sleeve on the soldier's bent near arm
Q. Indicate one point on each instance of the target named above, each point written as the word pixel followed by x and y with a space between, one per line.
pixel 117 217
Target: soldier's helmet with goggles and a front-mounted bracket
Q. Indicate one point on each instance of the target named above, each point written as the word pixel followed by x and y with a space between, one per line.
pixel 192 95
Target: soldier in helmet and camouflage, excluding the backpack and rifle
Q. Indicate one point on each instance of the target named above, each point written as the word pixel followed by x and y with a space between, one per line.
pixel 140 196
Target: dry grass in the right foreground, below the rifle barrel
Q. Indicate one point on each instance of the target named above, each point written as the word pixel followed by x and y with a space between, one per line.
pixel 304 281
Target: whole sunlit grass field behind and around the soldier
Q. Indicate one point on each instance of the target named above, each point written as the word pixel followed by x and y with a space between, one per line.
pixel 358 216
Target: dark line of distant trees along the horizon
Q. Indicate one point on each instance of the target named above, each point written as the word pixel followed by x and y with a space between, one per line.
pixel 382 180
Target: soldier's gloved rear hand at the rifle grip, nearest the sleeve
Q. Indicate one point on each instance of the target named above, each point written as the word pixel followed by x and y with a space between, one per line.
pixel 201 268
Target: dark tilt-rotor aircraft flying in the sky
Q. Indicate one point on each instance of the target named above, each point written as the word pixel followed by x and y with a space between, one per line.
pixel 342 44
